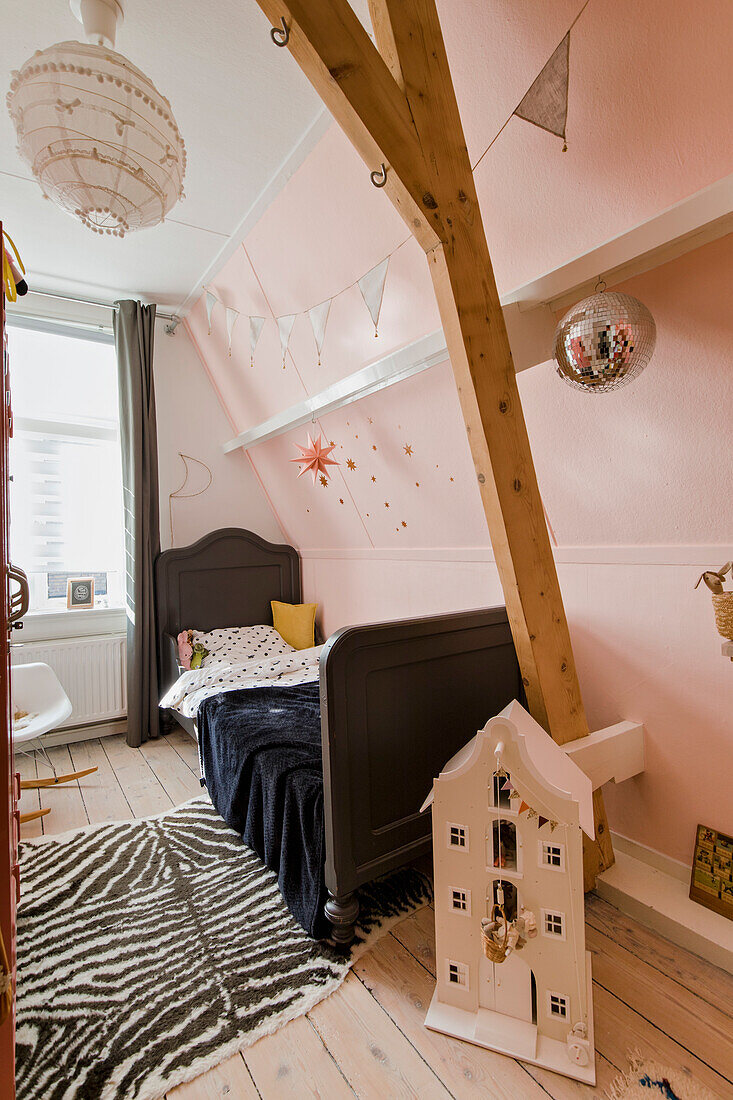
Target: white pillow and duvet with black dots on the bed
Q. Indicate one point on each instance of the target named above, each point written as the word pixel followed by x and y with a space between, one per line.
pixel 242 657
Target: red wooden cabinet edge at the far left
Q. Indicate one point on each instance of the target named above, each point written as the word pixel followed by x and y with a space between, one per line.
pixel 9 783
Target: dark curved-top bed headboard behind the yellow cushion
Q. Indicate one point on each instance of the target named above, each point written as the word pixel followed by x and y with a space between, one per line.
pixel 226 579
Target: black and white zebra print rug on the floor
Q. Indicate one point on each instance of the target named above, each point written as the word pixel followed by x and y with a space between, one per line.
pixel 151 951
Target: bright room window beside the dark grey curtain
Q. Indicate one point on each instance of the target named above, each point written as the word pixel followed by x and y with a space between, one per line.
pixel 67 493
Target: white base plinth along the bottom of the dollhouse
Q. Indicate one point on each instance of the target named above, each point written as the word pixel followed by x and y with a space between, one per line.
pixel 515 1038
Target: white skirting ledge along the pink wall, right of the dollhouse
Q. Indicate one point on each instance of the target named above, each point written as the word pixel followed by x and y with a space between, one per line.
pixel 647 892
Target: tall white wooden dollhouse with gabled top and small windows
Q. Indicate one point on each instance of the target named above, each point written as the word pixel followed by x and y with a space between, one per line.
pixel 509 812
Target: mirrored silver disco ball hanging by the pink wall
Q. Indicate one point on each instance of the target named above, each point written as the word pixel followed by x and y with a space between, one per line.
pixel 605 342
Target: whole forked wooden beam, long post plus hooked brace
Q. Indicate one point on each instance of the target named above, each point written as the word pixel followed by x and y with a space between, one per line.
pixel 403 105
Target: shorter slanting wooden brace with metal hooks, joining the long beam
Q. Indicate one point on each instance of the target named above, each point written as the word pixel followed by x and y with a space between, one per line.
pixel 337 56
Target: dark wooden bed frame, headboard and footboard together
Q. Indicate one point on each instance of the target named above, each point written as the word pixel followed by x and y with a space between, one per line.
pixel 397 699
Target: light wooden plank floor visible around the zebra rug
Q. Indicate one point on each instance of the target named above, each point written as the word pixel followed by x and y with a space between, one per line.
pixel 368 1039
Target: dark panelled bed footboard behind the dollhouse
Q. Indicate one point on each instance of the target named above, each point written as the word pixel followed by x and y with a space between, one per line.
pixel 398 700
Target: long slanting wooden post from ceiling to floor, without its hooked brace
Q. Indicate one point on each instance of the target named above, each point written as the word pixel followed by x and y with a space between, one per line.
pixel 410 38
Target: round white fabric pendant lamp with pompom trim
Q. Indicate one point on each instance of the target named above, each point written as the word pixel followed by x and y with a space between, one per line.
pixel 96 133
